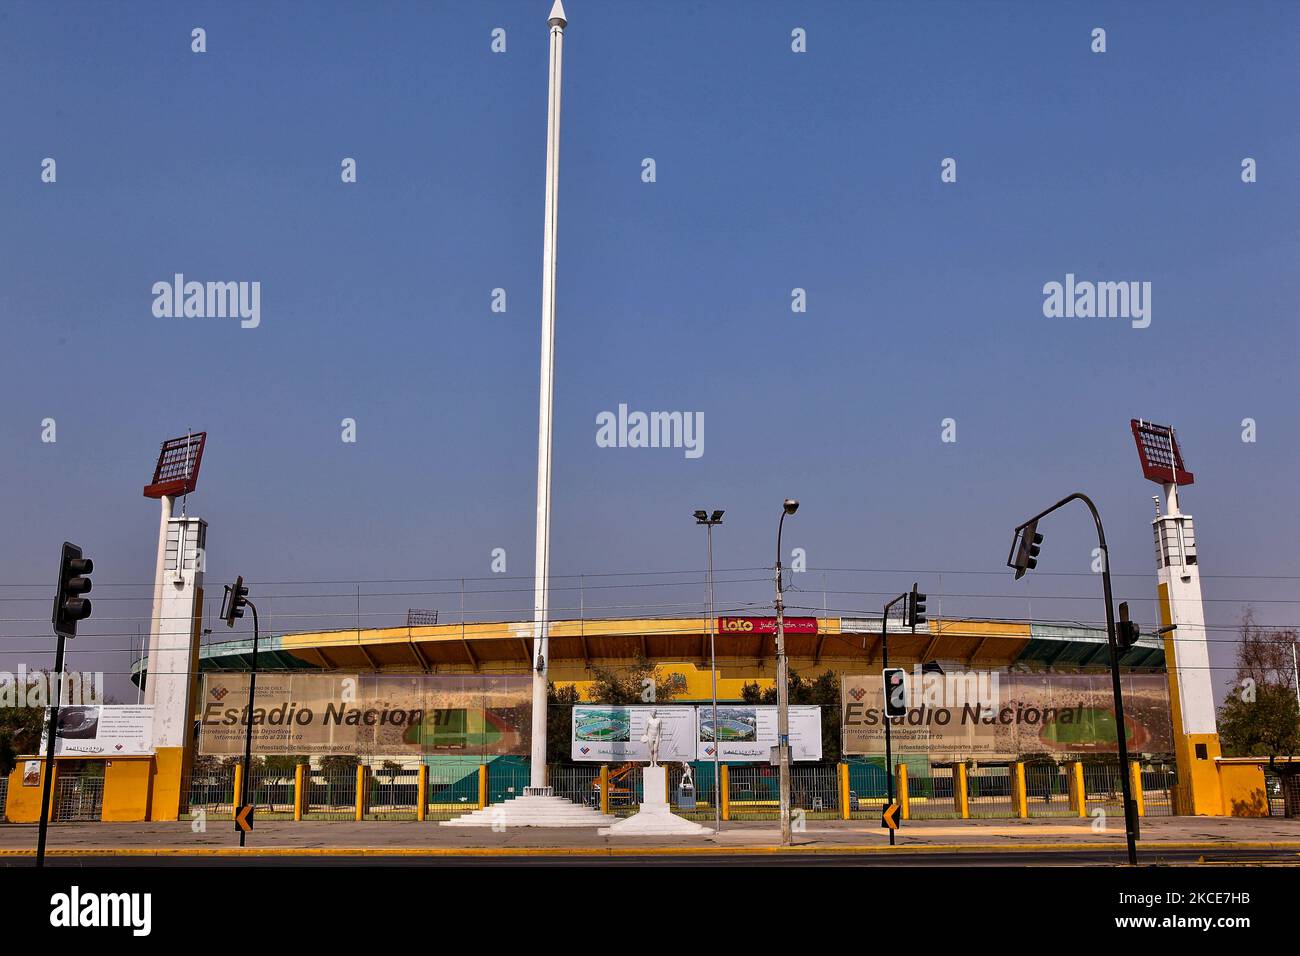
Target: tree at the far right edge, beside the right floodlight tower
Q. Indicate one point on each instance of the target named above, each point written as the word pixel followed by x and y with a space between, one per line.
pixel 1260 716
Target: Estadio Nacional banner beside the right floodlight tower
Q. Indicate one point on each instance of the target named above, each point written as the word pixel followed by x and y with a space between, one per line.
pixel 1000 716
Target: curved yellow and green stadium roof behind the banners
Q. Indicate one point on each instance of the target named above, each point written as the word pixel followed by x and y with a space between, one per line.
pixel 843 646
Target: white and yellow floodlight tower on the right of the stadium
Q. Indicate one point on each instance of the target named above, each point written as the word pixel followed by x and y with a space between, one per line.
pixel 1182 617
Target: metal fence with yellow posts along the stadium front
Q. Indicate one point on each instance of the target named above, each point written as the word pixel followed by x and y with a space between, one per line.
pixel 817 791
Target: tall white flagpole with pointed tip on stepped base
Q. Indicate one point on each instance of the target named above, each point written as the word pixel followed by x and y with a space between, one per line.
pixel 541 566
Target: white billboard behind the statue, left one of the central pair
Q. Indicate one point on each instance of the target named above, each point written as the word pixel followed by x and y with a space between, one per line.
pixel 605 733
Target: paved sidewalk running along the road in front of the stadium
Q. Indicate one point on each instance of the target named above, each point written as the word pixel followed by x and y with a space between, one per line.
pixel 409 838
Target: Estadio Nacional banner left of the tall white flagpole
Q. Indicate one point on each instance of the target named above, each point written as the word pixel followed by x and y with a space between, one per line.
pixel 313 715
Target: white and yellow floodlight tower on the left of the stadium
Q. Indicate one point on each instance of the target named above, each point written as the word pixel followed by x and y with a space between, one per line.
pixel 177 620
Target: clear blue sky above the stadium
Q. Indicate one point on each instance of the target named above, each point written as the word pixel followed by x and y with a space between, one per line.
pixel 775 171
